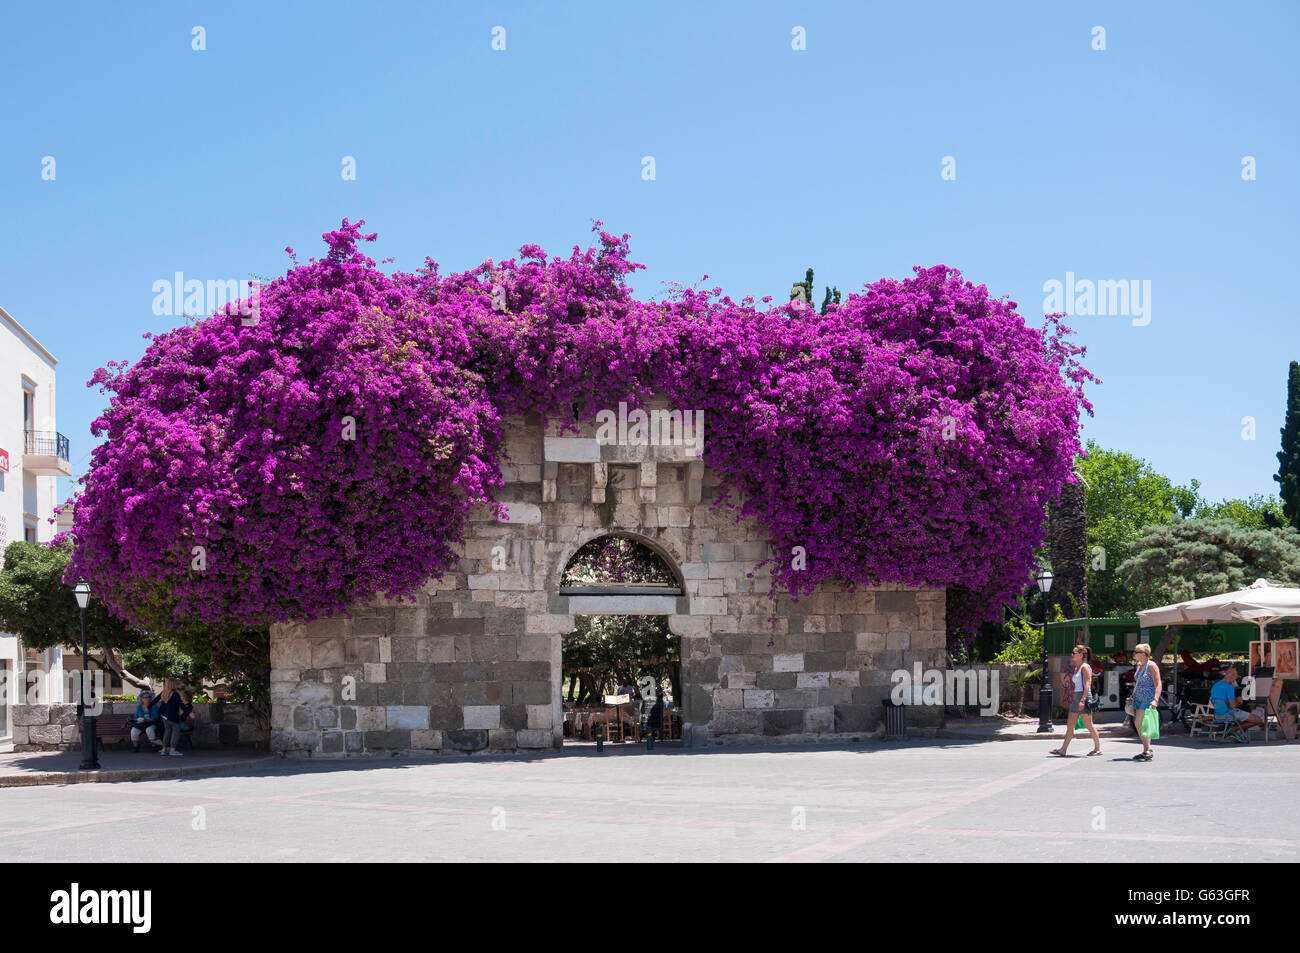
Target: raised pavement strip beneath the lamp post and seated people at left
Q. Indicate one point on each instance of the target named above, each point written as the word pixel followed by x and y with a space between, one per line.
pixel 62 768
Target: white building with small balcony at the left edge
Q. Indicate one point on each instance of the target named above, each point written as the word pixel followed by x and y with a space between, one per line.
pixel 33 457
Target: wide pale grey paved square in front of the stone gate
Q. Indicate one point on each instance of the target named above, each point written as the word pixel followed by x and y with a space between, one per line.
pixel 921 802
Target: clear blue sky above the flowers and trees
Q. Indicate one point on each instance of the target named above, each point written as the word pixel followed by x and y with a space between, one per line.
pixel 1117 164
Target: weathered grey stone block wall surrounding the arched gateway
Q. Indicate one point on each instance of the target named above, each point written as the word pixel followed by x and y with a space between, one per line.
pixel 475 662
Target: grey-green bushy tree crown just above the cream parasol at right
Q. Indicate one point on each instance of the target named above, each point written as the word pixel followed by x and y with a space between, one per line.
pixel 1198 558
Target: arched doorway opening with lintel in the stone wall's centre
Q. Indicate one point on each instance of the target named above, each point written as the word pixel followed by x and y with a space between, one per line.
pixel 621 664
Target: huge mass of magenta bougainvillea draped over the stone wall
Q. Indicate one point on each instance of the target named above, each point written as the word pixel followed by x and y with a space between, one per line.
pixel 284 469
